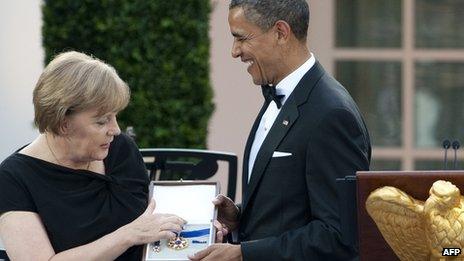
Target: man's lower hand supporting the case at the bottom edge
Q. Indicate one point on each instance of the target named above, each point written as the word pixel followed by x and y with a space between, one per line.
pixel 223 252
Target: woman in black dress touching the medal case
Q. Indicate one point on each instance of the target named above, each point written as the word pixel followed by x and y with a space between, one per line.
pixel 79 191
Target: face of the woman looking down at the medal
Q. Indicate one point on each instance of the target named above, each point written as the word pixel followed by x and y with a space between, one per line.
pixel 89 135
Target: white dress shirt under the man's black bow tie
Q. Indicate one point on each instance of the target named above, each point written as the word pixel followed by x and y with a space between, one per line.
pixel 284 87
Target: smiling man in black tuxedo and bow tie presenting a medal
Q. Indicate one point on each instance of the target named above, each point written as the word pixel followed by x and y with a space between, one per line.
pixel 308 133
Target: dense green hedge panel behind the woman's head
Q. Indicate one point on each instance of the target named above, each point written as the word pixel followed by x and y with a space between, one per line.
pixel 159 47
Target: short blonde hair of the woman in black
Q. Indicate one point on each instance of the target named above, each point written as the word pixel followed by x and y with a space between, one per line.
pixel 73 82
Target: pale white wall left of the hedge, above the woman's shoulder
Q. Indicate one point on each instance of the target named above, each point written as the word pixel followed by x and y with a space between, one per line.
pixel 21 59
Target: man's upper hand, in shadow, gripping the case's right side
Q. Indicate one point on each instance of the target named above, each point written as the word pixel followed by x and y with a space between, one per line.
pixel 227 212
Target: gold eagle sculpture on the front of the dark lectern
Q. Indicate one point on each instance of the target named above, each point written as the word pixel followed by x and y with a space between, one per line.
pixel 418 230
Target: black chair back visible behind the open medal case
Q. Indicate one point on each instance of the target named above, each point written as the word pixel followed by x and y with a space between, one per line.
pixel 189 164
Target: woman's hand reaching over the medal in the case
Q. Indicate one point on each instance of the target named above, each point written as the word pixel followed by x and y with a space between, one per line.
pixel 150 227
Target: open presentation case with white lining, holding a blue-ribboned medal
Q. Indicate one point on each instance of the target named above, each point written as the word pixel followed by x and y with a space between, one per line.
pixel 192 201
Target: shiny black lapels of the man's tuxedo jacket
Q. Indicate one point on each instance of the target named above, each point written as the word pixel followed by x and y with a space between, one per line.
pixel 284 121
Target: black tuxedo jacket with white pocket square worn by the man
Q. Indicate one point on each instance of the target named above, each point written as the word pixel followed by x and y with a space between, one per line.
pixel 290 206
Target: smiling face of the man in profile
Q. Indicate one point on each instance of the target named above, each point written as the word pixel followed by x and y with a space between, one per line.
pixel 255 47
